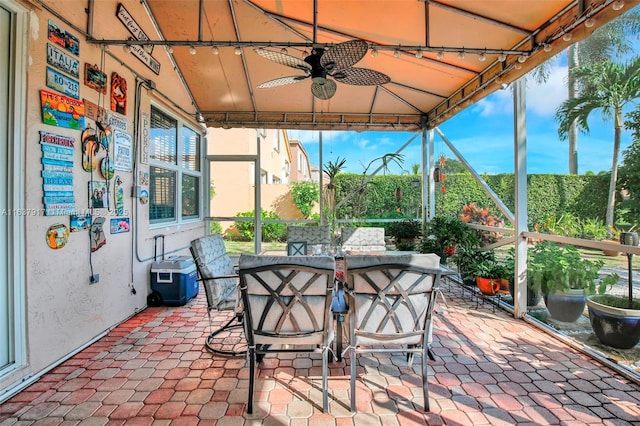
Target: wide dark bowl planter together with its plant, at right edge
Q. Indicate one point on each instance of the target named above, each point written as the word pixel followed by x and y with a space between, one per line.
pixel 616 319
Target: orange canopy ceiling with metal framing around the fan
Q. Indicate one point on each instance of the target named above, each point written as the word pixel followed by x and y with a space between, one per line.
pixel 425 88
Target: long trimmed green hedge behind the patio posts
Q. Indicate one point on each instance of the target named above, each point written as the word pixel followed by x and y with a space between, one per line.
pixel 548 195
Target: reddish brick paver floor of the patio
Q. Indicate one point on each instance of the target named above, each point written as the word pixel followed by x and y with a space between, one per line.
pixel 490 369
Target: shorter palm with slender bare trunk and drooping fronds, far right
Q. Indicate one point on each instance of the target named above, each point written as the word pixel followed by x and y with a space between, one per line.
pixel 606 86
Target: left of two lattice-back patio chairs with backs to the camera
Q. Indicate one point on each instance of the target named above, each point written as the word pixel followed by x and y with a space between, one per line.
pixel 287 304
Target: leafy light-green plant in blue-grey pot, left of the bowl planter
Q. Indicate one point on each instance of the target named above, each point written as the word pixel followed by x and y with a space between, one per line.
pixel 564 278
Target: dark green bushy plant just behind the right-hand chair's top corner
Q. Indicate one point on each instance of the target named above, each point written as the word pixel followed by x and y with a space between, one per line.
pixel 444 234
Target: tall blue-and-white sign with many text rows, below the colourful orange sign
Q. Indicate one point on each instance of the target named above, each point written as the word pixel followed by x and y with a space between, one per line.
pixel 57 174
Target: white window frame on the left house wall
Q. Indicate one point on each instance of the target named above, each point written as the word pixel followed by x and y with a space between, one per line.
pixel 180 171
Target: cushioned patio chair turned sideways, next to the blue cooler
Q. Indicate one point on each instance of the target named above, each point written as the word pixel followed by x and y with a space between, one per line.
pixel 219 278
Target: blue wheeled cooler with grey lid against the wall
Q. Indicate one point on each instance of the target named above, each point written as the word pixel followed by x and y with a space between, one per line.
pixel 174 279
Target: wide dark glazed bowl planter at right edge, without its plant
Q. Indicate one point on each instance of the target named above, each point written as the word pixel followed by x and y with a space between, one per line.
pixel 615 327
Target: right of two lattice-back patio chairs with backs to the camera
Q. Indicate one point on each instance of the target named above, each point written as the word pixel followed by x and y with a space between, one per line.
pixel 391 300
